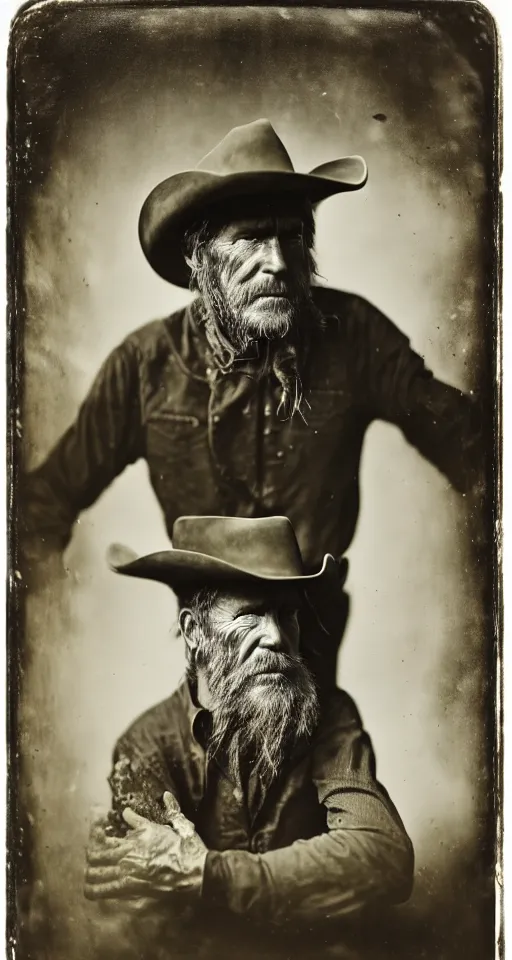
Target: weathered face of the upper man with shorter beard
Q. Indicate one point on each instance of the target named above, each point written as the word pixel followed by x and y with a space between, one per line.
pixel 263 270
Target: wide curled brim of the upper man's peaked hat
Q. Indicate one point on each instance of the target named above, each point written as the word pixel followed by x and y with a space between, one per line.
pixel 177 202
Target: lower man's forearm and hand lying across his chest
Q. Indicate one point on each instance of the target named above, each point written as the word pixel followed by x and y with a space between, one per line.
pixel 363 859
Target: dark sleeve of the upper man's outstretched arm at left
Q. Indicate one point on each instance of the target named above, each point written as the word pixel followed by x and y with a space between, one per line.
pixel 103 440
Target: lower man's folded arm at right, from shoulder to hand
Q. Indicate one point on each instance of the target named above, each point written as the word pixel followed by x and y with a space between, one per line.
pixel 364 857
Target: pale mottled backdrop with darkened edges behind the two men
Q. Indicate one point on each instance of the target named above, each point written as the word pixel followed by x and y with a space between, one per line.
pixel 107 104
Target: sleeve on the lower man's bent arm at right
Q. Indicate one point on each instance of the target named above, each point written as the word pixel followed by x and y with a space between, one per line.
pixel 364 858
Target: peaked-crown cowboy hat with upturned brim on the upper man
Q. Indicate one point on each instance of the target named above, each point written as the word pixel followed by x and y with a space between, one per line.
pixel 250 160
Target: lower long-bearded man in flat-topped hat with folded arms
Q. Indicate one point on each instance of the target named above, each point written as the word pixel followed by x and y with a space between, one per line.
pixel 247 803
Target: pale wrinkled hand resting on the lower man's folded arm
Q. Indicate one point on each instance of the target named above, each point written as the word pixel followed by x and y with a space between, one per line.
pixel 151 861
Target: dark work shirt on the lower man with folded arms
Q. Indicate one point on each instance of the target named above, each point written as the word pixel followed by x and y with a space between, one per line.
pixel 323 842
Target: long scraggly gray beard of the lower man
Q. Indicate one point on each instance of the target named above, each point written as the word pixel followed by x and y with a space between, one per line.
pixel 260 723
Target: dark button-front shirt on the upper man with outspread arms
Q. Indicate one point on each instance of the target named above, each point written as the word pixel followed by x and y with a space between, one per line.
pixel 216 444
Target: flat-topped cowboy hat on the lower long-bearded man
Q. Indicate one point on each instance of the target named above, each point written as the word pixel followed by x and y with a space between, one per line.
pixel 216 550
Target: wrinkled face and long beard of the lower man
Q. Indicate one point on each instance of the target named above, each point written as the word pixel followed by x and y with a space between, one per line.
pixel 262 696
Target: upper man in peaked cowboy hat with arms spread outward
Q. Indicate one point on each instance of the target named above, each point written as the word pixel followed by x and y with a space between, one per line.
pixel 255 399
